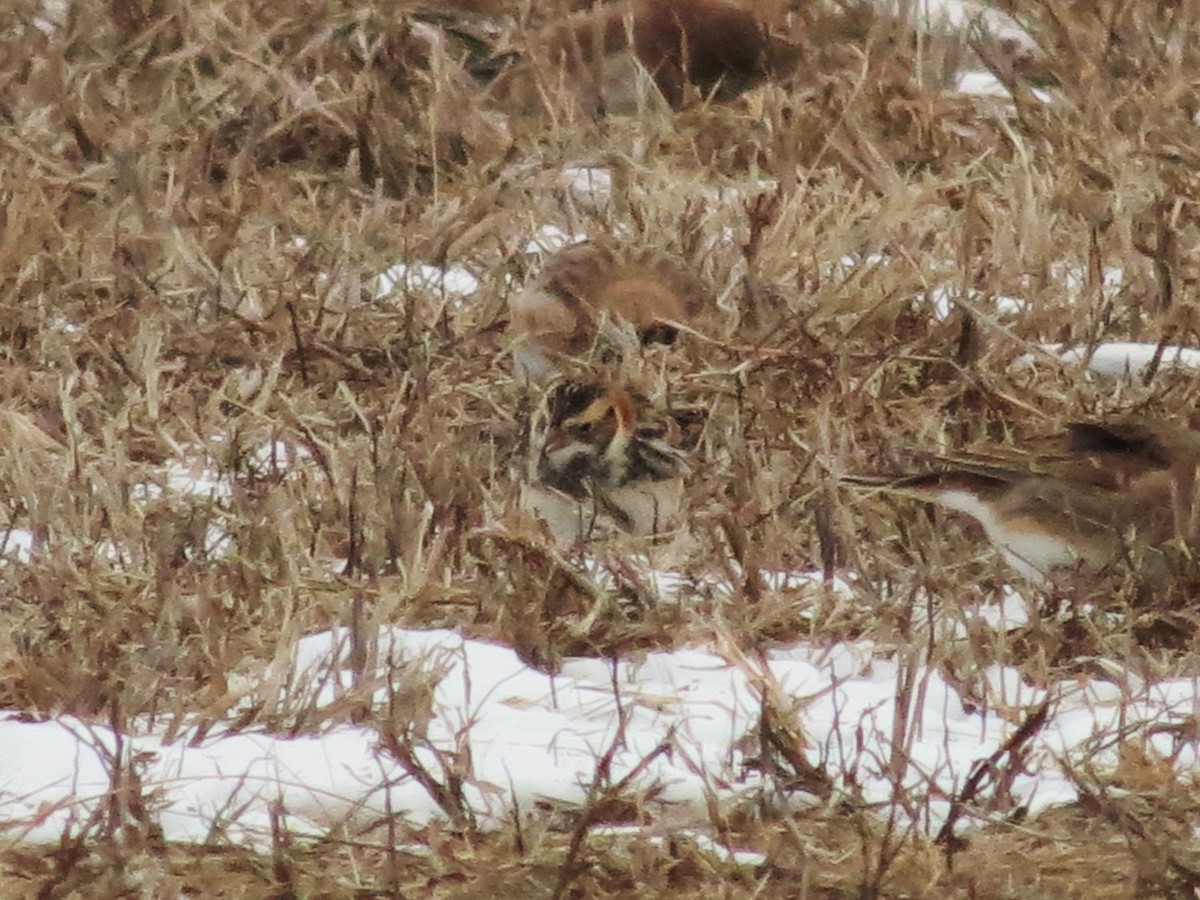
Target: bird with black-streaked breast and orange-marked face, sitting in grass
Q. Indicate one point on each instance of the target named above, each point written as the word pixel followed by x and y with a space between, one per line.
pixel 603 469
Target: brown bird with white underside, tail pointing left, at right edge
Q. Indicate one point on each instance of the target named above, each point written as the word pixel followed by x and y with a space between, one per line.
pixel 1120 494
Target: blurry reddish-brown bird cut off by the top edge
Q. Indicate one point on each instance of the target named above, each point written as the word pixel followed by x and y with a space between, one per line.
pixel 719 47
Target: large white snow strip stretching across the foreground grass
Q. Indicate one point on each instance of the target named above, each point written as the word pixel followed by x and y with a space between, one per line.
pixel 525 737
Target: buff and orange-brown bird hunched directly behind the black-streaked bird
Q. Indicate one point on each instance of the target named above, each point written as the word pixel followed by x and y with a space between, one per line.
pixel 590 292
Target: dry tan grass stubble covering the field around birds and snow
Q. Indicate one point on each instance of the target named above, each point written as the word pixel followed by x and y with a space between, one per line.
pixel 161 161
